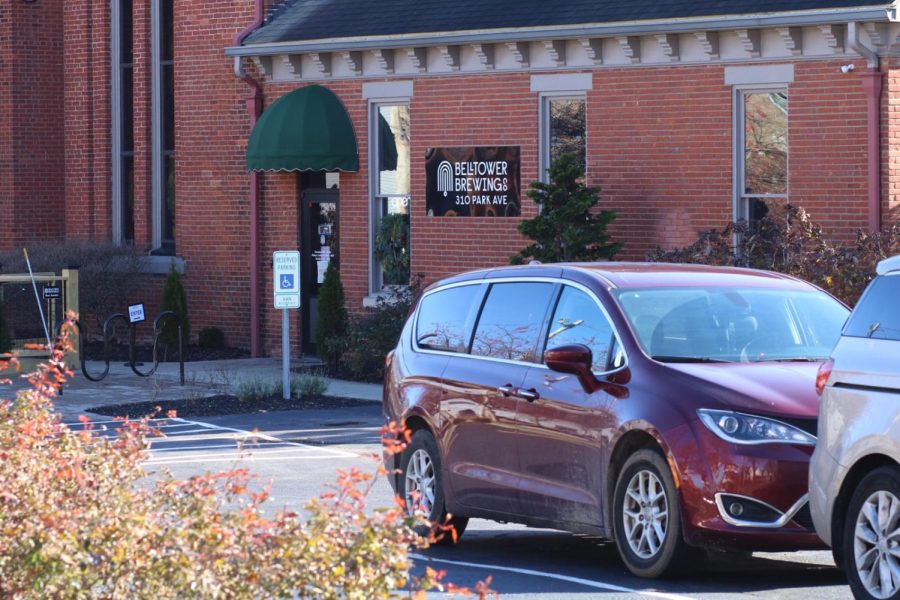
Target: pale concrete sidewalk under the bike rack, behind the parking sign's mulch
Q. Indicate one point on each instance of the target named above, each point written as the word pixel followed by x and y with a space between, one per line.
pixel 202 378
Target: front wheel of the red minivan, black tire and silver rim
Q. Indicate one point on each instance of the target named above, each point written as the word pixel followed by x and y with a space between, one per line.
pixel 650 552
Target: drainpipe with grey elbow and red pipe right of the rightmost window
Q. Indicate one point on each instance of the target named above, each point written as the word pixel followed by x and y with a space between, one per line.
pixel 872 83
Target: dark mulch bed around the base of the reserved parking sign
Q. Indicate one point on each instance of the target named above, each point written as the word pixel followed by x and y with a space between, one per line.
pixel 224 404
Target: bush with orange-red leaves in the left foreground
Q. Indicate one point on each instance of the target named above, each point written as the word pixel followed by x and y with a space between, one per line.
pixel 80 518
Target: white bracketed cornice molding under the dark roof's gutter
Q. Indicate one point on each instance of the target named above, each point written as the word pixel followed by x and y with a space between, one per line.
pixel 737 46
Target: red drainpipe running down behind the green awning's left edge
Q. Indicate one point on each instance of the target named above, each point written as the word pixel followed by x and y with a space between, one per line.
pixel 254 108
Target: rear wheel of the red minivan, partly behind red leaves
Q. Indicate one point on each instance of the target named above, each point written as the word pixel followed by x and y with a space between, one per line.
pixel 420 477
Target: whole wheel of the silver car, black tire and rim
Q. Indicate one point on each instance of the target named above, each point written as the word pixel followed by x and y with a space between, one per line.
pixel 871 544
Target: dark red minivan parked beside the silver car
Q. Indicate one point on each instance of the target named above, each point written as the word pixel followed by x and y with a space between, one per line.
pixel 662 406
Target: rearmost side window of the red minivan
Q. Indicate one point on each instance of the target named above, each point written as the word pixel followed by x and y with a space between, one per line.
pixel 445 318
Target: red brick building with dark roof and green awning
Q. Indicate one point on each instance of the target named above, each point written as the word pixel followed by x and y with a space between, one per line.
pixel 132 118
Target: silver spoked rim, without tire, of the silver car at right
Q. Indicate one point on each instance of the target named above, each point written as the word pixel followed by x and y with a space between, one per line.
pixel 876 544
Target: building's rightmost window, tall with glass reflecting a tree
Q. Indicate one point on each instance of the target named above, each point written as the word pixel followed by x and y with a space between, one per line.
pixel 762 142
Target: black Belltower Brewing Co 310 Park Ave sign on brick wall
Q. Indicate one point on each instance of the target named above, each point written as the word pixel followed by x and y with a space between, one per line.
pixel 472 182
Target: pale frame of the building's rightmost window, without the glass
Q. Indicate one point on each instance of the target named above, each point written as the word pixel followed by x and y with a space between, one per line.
pixel 741 200
